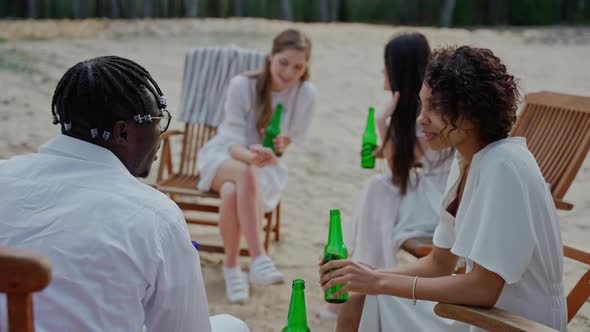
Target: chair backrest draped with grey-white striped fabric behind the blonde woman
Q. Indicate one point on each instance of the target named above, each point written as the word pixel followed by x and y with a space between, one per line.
pixel 207 72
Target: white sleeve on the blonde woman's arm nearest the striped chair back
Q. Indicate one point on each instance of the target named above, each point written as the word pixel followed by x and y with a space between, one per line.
pixel 237 104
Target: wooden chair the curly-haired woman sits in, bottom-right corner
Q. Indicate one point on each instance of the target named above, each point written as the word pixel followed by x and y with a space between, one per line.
pixel 500 320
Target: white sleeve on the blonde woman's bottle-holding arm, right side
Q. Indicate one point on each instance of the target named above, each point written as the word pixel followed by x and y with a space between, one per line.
pixel 304 113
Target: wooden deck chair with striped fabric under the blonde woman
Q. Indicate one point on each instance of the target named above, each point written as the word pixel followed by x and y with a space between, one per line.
pixel 207 72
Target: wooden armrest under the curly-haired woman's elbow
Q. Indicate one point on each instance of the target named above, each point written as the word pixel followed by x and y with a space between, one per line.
pixel 493 319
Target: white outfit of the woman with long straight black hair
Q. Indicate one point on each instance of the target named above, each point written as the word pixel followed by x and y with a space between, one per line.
pixel 384 219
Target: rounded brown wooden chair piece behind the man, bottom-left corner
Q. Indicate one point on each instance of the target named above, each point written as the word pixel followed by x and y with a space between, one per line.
pixel 22 272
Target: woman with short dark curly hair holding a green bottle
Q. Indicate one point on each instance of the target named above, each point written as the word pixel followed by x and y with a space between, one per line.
pixel 497 212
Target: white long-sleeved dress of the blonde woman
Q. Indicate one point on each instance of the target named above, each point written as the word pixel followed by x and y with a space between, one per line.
pixel 239 127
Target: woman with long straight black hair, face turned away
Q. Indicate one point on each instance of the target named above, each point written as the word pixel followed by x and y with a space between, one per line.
pixel 404 203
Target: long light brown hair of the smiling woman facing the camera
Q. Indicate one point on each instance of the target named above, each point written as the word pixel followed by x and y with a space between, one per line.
pixel 288 39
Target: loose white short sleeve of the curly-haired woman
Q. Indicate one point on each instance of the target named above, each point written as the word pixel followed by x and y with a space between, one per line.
pixel 495 230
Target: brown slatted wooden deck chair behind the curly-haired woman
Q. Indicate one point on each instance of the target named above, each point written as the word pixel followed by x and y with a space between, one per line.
pixel 557 129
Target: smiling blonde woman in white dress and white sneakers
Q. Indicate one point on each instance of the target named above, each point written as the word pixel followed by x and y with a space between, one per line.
pixel 249 177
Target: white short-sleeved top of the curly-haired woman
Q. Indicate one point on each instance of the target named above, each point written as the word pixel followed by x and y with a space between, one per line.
pixel 507 223
